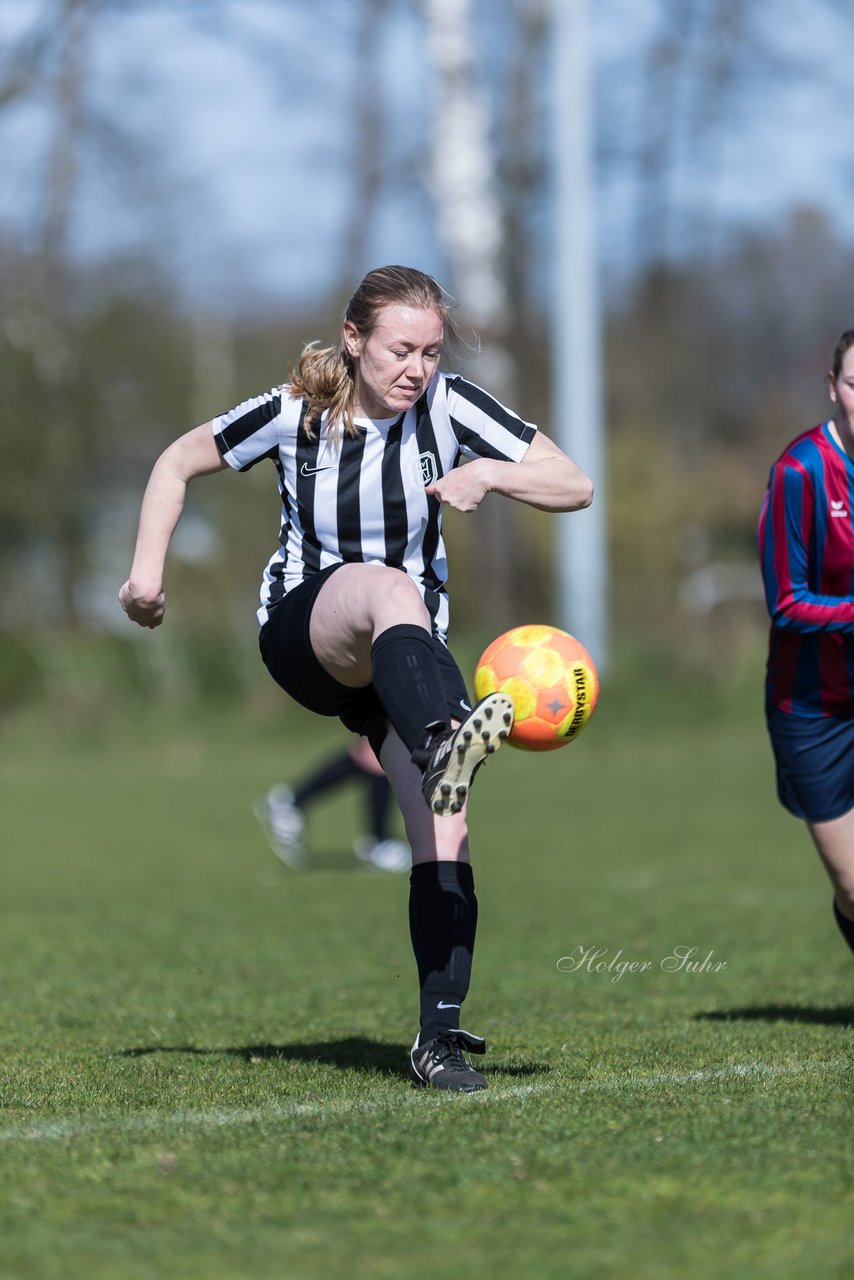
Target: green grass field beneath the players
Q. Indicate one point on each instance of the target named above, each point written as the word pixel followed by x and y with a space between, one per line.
pixel 203 1069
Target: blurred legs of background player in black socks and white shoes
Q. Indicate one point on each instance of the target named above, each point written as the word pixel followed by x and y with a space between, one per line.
pixel 282 812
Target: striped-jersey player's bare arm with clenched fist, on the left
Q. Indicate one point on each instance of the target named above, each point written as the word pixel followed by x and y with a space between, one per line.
pixel 193 455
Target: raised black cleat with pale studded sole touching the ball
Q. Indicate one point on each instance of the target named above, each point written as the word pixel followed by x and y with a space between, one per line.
pixel 451 757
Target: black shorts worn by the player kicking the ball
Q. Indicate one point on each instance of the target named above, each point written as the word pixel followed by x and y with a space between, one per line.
pixel 287 653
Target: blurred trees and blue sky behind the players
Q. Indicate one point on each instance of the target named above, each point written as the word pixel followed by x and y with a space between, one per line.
pixel 191 193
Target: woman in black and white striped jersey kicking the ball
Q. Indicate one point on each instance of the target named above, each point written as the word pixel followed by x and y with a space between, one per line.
pixel 366 441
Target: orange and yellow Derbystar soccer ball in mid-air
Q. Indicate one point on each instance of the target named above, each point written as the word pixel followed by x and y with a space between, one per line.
pixel 551 679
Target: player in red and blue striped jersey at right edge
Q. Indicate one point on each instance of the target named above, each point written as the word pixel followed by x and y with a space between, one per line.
pixel 807 550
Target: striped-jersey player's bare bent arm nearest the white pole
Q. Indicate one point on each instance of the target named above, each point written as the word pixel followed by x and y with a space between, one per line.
pixel 546 478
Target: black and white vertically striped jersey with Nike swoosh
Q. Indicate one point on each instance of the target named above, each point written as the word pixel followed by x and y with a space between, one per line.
pixel 364 500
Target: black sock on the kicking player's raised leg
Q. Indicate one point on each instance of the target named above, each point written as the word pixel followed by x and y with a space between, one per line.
pixel 407 675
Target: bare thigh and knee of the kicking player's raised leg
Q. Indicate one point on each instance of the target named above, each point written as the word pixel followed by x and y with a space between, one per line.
pixel 354 606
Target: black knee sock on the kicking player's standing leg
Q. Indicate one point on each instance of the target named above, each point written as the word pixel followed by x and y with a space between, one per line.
pixel 444 921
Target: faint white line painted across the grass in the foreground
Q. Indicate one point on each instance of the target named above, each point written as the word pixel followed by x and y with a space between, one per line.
pixel 156 1122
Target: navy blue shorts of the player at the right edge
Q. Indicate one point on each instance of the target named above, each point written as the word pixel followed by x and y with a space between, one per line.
pixel 815 765
